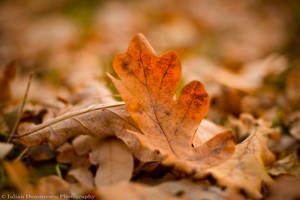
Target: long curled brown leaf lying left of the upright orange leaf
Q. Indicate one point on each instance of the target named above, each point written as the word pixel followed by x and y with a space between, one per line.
pixel 93 120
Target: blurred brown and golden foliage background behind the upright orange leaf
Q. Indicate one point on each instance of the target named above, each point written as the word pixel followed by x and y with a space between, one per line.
pixel 67 42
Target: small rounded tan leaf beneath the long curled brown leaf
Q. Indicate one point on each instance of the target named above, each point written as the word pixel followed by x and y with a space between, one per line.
pixel 115 163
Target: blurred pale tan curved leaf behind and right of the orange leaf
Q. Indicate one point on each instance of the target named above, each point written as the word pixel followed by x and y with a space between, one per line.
pixel 248 79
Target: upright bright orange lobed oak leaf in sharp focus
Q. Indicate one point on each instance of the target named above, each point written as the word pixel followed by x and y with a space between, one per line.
pixel 147 85
